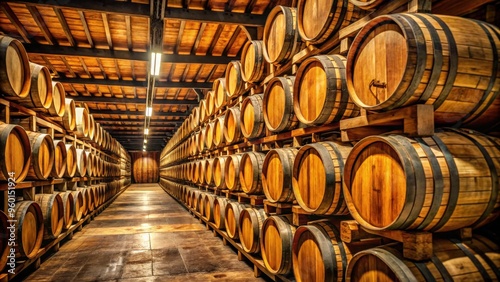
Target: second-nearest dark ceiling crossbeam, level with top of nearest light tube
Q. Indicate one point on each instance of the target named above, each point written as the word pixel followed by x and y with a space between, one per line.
pixel 43 49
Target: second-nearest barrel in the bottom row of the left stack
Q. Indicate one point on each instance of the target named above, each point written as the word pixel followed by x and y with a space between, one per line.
pixel 53 214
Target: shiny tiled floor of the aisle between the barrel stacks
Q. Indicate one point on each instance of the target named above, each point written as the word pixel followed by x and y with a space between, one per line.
pixel 145 235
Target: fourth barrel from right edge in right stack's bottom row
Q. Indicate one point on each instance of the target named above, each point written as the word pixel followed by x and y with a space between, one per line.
pixel 250 222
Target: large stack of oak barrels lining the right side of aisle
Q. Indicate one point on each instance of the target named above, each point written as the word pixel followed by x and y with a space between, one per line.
pixel 389 182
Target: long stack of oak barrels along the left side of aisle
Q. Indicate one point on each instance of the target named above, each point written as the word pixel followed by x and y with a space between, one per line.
pixel 84 150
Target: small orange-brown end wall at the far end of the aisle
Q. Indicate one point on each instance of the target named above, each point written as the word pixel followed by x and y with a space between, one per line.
pixel 145 167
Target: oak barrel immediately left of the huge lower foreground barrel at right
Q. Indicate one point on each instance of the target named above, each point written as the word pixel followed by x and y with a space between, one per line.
pixel 317 177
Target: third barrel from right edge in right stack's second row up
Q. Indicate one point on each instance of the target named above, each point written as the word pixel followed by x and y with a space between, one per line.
pixel 277 172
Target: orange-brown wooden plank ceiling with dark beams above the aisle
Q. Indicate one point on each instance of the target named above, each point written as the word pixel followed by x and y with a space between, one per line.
pixel 100 51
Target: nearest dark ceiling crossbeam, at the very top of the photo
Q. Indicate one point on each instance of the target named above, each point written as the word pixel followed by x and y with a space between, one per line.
pixel 143 10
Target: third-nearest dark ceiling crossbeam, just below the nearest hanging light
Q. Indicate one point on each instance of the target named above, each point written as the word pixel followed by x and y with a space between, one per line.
pixel 132 83
